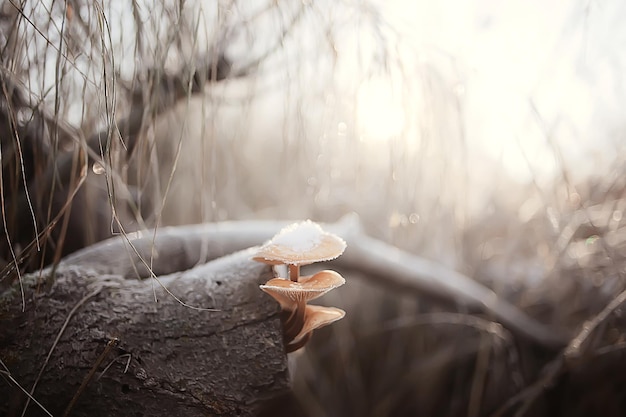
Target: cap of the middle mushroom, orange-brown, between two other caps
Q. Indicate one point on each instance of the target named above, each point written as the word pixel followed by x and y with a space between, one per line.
pixel 288 293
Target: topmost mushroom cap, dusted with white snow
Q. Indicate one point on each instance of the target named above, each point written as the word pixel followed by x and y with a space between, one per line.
pixel 301 244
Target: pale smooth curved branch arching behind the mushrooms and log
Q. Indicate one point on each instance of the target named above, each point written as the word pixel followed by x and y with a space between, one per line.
pixel 177 248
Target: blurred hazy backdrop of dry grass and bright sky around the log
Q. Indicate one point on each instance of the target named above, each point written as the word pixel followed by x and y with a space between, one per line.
pixel 487 136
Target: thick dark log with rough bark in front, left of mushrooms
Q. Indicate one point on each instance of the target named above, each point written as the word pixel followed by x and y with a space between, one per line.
pixel 146 358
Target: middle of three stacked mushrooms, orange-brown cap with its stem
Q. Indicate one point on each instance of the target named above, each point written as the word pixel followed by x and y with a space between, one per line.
pixel 293 296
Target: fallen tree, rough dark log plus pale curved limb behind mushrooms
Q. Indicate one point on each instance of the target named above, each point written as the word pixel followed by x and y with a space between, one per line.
pixel 164 357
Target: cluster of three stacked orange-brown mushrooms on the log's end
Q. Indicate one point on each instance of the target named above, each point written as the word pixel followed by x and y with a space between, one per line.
pixel 296 245
